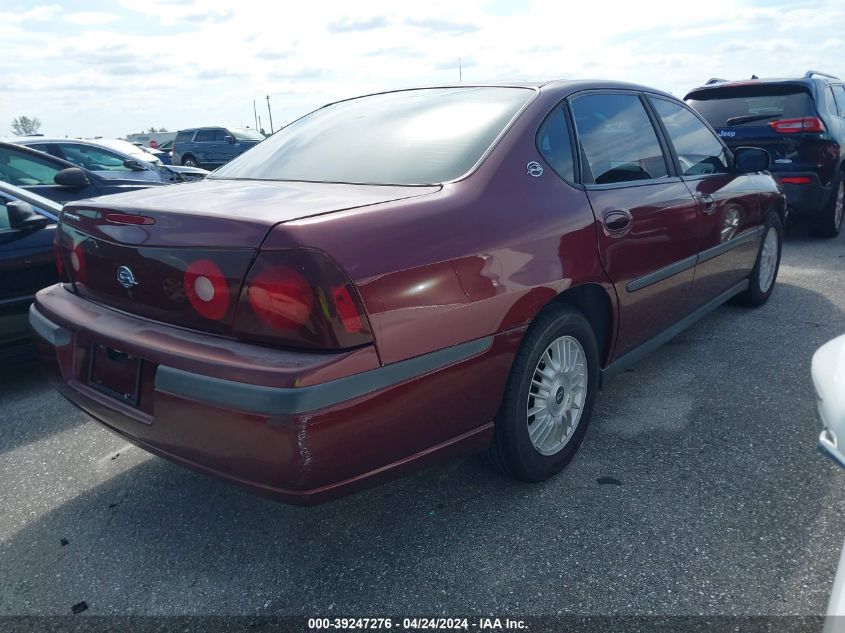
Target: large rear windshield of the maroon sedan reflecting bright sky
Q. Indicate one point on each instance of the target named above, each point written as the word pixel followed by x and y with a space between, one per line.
pixel 408 137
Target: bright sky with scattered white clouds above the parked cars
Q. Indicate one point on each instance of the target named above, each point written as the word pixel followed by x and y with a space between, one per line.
pixel 111 68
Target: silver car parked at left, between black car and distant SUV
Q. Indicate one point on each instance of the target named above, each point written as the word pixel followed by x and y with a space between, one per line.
pixel 111 159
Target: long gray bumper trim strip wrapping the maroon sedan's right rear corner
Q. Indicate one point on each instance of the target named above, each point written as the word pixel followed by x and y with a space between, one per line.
pixel 279 400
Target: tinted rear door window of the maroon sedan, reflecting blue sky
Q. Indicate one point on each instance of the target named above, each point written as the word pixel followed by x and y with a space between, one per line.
pixel 618 138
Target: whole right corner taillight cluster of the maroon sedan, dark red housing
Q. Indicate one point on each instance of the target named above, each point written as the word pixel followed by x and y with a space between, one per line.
pixel 301 298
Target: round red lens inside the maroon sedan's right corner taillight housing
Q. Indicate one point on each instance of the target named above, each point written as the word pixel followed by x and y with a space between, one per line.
pixel 281 298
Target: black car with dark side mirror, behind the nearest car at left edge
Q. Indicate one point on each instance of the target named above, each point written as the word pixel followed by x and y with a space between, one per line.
pixel 56 178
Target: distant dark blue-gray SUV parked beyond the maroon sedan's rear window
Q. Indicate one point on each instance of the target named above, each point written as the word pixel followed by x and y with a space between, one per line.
pixel 211 147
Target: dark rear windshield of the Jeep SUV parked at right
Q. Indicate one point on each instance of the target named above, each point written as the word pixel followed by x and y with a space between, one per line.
pixel 751 105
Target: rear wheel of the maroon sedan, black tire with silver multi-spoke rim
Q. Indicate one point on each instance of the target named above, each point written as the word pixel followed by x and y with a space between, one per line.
pixel 518 449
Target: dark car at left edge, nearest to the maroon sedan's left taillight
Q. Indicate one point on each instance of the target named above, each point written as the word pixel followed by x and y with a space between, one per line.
pixel 27 264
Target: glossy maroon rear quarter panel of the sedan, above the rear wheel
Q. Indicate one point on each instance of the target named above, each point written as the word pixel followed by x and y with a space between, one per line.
pixel 481 256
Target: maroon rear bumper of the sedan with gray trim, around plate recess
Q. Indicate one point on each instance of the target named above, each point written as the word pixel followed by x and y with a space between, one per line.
pixel 300 427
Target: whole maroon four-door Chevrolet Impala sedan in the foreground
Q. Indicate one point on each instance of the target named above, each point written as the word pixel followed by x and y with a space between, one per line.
pixel 405 277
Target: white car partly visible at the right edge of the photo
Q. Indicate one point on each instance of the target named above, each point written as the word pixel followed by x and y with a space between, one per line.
pixel 829 380
